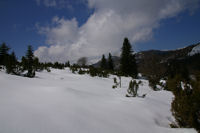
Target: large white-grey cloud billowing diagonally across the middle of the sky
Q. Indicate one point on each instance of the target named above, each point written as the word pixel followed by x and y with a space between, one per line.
pixel 106 28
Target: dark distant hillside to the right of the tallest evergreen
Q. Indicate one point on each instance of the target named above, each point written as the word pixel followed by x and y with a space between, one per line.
pixel 155 62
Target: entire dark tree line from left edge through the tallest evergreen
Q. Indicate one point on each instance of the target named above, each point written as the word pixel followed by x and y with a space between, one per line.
pixel 29 64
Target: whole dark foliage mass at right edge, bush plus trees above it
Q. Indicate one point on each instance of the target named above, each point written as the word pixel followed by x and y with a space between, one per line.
pixel 186 104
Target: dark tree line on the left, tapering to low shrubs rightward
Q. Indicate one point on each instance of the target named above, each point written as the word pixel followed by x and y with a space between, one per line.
pixel 28 64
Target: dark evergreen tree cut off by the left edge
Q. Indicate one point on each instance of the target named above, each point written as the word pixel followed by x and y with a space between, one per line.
pixel 4 49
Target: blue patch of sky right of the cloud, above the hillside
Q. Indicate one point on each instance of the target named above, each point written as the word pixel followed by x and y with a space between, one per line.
pixel 175 33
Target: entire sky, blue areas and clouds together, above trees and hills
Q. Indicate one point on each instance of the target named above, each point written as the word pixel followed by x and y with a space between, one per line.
pixel 62 30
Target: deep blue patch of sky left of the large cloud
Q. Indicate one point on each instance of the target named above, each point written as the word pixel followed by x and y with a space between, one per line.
pixel 18 19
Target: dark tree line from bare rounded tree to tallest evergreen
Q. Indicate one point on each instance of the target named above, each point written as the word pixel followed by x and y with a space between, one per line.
pixel 128 66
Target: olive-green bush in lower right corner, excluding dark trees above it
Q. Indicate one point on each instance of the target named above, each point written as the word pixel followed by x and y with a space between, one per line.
pixel 186 104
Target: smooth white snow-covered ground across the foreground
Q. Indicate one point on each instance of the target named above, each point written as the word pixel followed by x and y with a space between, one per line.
pixel 62 102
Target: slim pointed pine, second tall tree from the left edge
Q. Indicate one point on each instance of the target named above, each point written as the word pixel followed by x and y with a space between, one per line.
pixel 30 62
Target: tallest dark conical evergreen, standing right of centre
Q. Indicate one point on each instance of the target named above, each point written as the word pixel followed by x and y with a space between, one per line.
pixel 128 65
